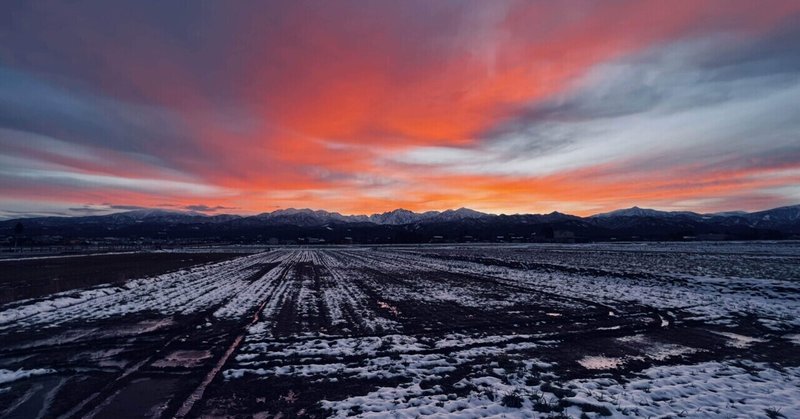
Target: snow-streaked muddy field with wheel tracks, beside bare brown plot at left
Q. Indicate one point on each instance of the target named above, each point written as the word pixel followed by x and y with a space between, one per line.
pixel 647 330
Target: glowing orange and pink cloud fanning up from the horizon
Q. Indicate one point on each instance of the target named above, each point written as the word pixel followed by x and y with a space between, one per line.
pixel 295 105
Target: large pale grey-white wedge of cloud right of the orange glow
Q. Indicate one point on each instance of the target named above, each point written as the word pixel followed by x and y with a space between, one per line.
pixel 663 108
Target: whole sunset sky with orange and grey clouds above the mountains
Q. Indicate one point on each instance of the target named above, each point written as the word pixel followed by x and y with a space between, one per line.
pixel 367 106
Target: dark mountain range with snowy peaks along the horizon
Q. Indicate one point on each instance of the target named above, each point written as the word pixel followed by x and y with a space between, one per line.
pixel 402 225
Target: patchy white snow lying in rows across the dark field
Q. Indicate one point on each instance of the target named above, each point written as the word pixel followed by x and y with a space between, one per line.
pixel 362 299
